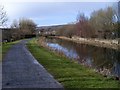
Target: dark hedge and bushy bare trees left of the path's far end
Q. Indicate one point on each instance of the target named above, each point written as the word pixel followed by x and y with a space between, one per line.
pixel 23 28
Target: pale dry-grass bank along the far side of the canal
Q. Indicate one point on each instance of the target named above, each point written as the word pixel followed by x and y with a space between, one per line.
pixel 95 42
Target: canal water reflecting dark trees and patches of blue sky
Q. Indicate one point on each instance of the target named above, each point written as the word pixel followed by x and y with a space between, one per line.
pixel 103 60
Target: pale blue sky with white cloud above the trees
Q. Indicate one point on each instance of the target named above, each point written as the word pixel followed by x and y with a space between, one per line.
pixel 46 13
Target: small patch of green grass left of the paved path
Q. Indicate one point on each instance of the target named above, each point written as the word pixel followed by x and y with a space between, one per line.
pixel 5 47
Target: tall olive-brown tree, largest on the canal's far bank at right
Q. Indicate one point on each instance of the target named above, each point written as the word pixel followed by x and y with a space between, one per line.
pixel 102 22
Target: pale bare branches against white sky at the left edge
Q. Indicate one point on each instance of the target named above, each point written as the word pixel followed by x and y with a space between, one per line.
pixel 3 16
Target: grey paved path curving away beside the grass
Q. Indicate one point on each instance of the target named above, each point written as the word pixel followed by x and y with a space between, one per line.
pixel 21 70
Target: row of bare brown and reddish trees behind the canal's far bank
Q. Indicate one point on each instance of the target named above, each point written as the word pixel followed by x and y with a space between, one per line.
pixel 102 23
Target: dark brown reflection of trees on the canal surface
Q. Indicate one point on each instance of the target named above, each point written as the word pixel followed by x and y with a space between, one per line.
pixel 101 58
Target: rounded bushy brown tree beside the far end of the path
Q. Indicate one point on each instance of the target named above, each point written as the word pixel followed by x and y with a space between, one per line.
pixel 22 28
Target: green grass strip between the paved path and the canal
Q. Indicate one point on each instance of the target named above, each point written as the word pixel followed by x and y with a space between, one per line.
pixel 69 73
